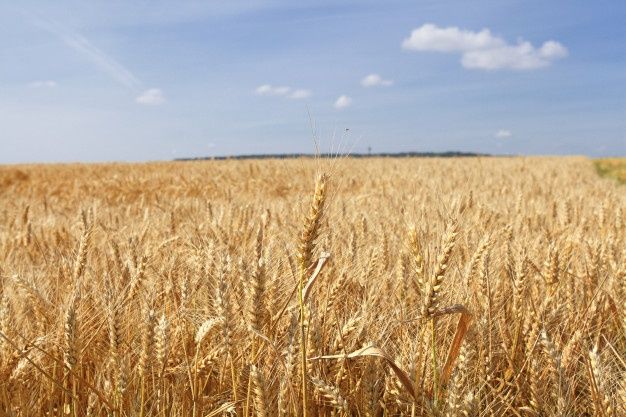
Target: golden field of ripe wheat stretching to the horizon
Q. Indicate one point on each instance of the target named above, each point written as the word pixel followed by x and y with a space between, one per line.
pixel 387 287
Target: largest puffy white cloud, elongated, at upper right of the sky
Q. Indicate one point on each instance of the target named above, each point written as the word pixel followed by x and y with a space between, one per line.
pixel 483 50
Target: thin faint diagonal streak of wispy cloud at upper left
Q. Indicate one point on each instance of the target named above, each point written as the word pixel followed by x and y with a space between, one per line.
pixel 87 49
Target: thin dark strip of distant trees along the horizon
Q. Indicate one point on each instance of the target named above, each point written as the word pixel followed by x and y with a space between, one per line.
pixel 449 154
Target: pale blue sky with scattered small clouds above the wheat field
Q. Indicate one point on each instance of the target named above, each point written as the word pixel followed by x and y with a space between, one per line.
pixel 156 80
